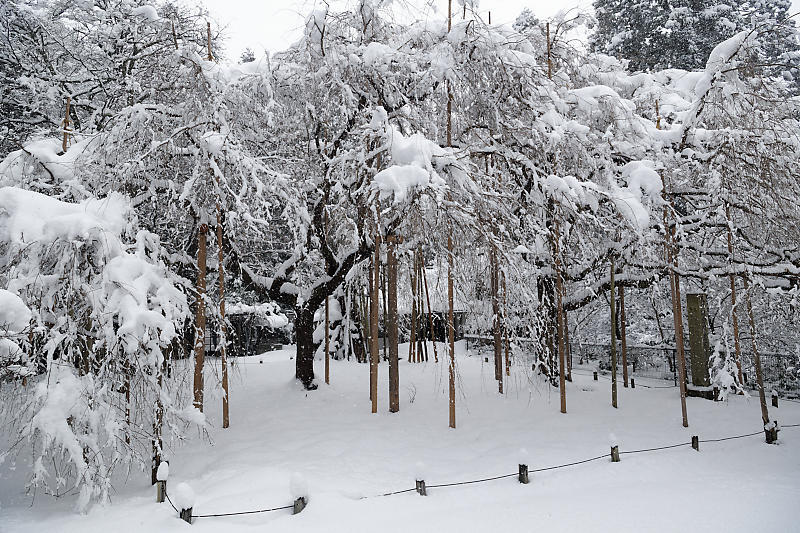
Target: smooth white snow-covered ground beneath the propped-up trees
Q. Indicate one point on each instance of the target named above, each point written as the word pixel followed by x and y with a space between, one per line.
pixel 345 453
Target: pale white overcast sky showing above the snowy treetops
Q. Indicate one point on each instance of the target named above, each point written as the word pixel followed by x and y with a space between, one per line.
pixel 275 24
